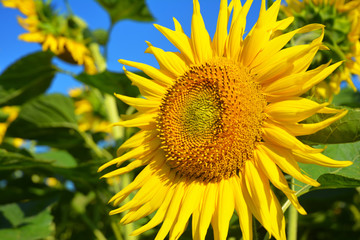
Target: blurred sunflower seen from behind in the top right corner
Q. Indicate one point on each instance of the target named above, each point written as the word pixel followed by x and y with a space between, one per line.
pixel 342 21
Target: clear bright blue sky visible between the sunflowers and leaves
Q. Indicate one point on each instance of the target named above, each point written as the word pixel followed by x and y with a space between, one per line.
pixel 127 39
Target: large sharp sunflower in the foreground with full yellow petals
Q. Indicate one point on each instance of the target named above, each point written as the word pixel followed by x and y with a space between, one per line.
pixel 218 122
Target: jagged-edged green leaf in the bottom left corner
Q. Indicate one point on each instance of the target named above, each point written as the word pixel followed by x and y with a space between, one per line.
pixel 32 227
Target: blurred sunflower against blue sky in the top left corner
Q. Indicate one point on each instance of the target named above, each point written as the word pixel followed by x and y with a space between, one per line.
pixel 53 32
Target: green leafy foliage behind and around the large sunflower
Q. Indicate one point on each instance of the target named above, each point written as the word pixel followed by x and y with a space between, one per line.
pixel 75 207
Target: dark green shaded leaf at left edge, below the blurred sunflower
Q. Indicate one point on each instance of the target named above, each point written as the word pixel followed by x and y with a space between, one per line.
pixel 27 78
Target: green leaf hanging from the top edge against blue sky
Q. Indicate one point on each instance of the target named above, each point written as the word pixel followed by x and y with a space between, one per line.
pixel 126 9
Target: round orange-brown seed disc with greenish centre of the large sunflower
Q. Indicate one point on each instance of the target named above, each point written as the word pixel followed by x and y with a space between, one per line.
pixel 210 120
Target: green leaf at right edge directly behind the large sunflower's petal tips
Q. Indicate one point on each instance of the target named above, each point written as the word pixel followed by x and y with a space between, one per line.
pixel 345 130
